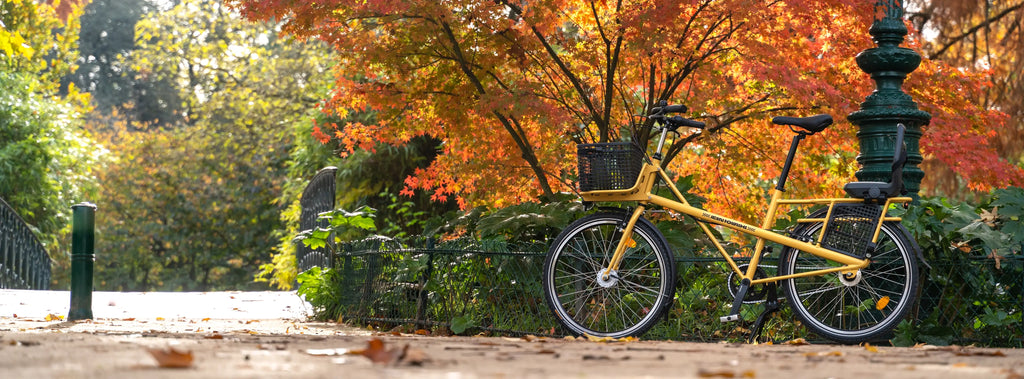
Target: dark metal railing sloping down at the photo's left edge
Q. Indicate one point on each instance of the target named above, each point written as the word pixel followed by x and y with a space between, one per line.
pixel 24 263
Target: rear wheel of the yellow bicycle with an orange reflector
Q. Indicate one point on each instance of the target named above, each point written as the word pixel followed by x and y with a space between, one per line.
pixel 865 309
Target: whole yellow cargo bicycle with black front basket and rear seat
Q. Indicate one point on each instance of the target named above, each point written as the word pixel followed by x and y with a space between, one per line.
pixel 849 271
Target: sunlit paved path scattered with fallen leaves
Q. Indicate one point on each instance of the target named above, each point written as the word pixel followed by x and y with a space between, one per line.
pixel 265 335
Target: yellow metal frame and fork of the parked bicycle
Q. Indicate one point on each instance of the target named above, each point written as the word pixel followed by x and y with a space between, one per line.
pixel 652 173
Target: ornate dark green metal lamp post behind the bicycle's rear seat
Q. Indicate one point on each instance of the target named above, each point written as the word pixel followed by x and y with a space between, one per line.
pixel 889 65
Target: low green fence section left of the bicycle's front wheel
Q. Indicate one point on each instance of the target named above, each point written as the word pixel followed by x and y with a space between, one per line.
pixel 494 287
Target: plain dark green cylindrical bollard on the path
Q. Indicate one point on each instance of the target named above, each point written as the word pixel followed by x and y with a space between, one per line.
pixel 82 259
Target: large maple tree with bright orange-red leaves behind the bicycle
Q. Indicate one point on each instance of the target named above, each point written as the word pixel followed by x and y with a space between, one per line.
pixel 510 87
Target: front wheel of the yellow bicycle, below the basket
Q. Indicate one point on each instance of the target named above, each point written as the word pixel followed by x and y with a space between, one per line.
pixel 626 304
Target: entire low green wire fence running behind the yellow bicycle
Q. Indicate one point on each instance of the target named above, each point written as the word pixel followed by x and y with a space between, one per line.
pixel 495 287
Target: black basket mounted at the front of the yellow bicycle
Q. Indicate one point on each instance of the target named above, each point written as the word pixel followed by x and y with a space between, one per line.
pixel 609 166
